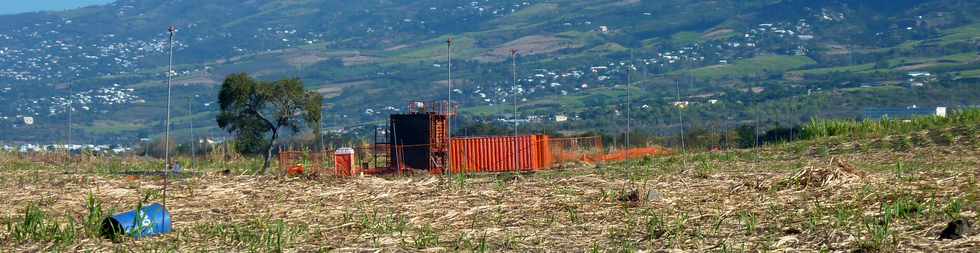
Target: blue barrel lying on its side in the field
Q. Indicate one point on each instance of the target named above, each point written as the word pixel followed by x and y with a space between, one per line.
pixel 149 221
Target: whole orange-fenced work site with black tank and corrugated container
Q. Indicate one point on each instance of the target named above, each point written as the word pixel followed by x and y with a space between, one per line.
pixel 420 140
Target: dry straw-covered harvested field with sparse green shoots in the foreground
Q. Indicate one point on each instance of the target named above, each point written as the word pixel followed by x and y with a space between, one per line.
pixel 807 197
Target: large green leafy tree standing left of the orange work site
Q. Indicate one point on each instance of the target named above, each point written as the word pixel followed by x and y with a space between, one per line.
pixel 257 112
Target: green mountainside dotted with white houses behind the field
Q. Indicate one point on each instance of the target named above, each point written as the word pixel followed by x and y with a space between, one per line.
pixel 371 57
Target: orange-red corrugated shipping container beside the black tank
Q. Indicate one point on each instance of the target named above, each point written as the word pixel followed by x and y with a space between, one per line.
pixel 497 154
